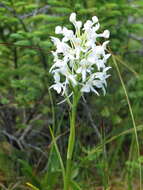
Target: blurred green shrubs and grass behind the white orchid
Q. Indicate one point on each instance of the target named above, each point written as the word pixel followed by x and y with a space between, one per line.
pixel 106 155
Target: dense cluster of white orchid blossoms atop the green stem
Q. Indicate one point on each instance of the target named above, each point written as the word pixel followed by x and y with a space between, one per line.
pixel 79 60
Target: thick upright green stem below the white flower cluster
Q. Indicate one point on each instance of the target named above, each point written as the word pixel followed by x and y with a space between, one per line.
pixel 71 142
